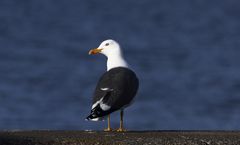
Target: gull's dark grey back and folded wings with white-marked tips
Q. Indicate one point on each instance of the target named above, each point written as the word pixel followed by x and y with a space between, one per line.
pixel 115 89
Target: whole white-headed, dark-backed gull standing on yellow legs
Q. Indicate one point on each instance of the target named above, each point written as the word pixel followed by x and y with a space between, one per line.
pixel 116 88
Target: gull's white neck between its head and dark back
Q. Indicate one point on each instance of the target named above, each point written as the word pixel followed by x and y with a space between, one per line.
pixel 116 60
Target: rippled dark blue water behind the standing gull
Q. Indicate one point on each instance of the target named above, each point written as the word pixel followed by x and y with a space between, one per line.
pixel 186 54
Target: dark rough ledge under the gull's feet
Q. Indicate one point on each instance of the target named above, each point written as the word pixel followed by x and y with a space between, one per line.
pixel 116 138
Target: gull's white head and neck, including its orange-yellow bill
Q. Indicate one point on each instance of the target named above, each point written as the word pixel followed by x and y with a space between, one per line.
pixel 112 50
